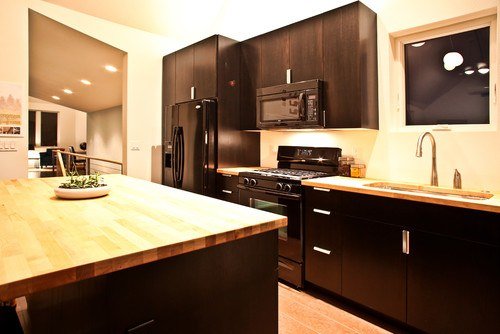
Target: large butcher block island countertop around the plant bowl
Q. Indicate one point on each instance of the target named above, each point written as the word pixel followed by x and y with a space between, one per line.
pixel 47 242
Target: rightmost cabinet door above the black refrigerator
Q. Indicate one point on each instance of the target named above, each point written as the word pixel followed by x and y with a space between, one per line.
pixel 205 68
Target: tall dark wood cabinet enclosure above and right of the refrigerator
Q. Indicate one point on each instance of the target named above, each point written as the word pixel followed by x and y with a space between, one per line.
pixel 212 67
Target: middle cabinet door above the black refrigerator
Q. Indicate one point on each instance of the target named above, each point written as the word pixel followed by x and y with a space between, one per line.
pixel 184 59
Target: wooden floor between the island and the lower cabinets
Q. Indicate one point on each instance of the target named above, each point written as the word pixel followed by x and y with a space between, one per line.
pixel 302 313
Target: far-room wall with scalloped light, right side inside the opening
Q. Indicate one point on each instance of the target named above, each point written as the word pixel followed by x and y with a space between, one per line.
pixel 104 137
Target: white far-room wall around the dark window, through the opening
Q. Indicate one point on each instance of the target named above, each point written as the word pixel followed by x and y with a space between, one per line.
pixel 71 123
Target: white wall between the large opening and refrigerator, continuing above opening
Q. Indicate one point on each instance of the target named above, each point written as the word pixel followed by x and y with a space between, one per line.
pixel 142 103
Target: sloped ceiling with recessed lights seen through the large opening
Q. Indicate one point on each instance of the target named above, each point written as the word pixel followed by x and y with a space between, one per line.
pixel 59 57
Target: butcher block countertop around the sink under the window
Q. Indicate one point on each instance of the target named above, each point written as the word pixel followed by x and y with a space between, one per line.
pixel 358 185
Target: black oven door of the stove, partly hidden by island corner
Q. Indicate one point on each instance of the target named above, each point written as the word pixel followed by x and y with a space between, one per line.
pixel 289 205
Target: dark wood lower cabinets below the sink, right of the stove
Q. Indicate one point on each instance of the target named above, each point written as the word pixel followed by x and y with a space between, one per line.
pixel 446 281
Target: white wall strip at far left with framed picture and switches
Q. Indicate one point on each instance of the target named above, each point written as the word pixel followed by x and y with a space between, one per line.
pixel 14 68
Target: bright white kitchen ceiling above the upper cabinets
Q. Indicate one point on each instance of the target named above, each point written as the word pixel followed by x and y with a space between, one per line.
pixel 191 20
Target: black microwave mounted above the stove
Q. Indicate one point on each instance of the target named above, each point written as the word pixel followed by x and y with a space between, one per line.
pixel 291 106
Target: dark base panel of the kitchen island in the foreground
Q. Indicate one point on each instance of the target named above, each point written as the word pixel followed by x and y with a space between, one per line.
pixel 229 288
